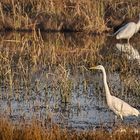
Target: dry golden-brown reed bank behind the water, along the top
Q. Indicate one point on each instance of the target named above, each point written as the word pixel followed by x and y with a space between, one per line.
pixel 89 16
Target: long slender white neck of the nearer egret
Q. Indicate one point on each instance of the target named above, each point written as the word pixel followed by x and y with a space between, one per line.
pixel 106 85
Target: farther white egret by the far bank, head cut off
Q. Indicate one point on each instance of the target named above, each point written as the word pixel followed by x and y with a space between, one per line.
pixel 128 30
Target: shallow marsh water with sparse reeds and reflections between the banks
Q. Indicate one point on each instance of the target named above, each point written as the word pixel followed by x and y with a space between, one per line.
pixel 46 77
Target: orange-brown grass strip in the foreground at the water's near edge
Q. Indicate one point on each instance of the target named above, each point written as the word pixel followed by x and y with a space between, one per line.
pixel 35 131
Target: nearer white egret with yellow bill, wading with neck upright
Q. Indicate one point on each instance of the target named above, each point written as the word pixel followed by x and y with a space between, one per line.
pixel 118 106
